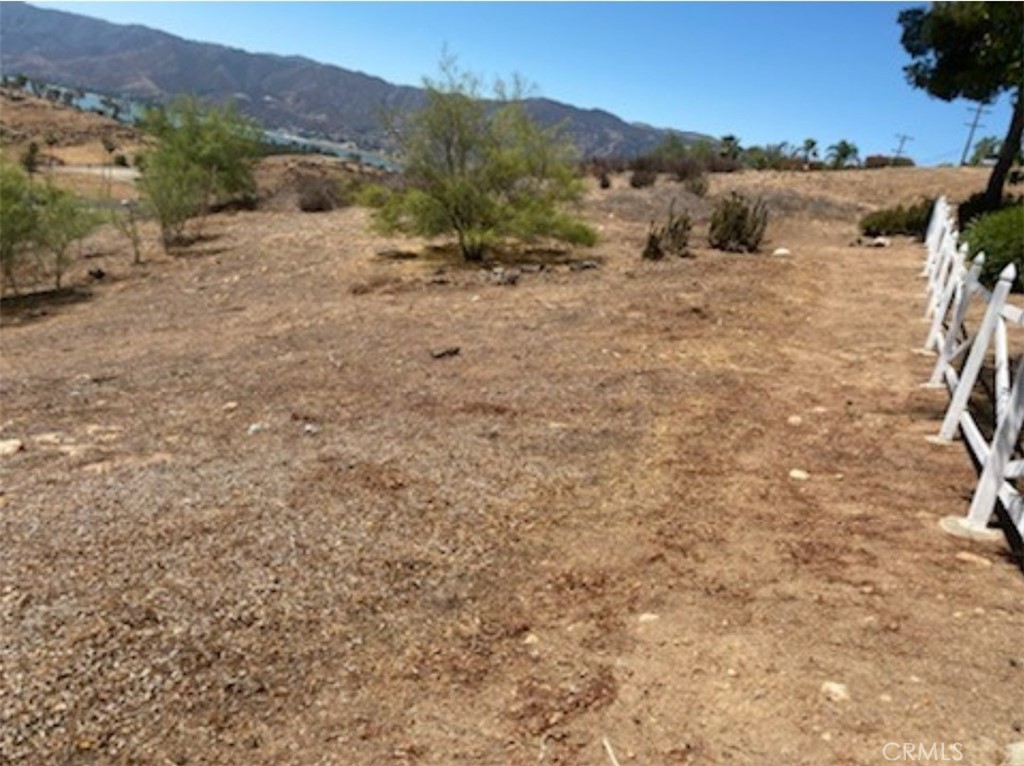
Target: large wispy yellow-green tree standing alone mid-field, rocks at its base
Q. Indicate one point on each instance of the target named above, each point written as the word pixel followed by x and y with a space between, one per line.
pixel 483 173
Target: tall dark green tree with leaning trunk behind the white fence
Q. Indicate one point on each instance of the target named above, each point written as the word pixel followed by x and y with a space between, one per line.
pixel 971 51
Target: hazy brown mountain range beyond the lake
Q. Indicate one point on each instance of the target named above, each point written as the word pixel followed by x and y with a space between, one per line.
pixel 290 94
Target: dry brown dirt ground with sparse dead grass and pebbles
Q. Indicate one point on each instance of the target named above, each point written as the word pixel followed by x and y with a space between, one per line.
pixel 258 522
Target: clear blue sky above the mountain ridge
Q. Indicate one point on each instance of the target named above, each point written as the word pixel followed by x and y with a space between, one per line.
pixel 766 72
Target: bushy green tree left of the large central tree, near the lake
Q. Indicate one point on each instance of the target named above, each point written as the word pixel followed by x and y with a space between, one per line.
pixel 204 154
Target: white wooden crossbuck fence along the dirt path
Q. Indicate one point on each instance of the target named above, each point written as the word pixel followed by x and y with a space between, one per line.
pixel 954 289
